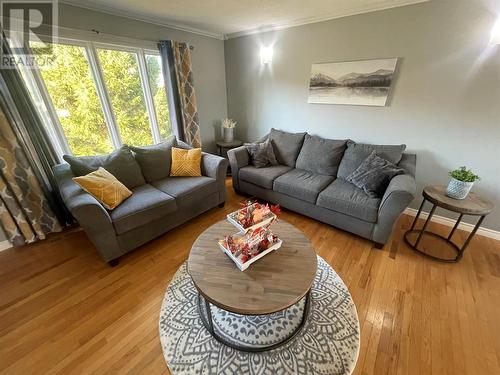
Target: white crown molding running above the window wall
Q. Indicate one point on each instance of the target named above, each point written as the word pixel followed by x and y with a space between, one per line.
pixel 139 17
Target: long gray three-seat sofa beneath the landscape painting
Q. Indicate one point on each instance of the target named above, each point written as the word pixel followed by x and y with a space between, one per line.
pixel 296 184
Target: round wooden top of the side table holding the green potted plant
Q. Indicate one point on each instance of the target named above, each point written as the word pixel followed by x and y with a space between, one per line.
pixel 473 204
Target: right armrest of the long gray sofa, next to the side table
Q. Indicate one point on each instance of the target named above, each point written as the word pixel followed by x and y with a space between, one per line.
pixel 399 194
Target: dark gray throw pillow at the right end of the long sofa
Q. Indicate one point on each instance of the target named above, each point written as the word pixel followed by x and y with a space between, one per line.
pixel 374 175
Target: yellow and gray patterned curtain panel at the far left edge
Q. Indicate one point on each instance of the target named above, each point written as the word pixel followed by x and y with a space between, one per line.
pixel 24 213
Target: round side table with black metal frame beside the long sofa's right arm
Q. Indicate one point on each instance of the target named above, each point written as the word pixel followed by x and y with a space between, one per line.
pixel 473 205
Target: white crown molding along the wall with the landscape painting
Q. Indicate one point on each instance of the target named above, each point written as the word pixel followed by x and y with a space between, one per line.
pixel 316 19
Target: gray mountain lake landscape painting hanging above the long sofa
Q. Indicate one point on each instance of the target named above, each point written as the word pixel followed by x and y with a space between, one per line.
pixel 364 82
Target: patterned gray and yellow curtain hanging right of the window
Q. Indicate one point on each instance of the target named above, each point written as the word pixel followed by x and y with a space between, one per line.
pixel 178 75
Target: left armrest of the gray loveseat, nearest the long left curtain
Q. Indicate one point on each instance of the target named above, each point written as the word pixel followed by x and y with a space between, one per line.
pixel 90 214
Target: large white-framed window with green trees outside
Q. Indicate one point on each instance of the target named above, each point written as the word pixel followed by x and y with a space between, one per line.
pixel 100 96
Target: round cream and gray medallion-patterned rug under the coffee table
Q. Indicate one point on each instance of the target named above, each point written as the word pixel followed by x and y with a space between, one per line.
pixel 327 344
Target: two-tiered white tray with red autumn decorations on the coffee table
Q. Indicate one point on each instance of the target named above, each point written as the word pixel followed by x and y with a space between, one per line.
pixel 255 238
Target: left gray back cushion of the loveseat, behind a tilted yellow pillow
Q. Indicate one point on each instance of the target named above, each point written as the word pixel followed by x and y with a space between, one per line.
pixel 120 163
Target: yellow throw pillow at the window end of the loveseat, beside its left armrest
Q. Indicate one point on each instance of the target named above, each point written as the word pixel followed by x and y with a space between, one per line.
pixel 104 187
